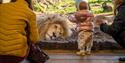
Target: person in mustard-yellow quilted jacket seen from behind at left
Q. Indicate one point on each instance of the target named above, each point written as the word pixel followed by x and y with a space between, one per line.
pixel 15 17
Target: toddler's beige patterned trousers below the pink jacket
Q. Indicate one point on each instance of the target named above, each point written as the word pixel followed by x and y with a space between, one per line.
pixel 85 40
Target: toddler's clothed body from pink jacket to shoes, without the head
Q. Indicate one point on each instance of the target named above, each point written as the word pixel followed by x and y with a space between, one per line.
pixel 85 31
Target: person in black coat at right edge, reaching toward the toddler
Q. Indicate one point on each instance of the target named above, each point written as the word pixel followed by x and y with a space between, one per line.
pixel 117 28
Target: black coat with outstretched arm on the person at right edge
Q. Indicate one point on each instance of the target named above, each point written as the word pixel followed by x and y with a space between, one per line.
pixel 117 29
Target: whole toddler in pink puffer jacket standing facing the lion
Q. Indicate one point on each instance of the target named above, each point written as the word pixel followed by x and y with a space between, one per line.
pixel 83 18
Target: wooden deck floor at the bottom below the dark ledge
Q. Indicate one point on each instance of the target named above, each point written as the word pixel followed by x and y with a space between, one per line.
pixel 66 56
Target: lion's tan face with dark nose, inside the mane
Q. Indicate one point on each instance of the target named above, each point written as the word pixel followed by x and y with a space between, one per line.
pixel 54 31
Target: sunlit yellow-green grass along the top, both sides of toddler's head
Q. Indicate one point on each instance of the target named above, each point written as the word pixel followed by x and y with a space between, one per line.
pixel 68 6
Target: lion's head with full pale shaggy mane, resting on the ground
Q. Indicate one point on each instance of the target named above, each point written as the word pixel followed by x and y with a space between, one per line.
pixel 53 26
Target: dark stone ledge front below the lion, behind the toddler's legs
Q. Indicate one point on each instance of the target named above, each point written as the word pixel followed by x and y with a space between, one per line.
pixel 73 45
